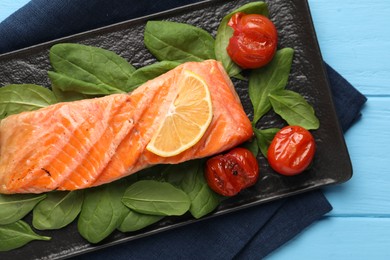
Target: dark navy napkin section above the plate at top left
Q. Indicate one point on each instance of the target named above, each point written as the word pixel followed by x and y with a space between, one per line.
pixel 44 20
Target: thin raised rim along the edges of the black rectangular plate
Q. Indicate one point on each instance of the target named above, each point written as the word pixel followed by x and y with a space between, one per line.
pixel 122 24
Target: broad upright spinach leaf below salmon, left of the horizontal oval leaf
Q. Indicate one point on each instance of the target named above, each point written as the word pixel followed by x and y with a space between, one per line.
pixel 102 211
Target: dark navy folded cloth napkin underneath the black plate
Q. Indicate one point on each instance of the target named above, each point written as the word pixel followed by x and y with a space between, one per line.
pixel 247 234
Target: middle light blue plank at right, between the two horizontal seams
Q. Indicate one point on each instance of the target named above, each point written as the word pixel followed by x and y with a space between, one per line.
pixel 367 193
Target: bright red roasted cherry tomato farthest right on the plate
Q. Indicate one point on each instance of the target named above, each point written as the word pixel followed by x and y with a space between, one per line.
pixel 291 151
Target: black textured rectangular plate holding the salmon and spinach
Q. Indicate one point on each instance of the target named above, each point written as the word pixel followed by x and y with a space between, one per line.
pixel 292 18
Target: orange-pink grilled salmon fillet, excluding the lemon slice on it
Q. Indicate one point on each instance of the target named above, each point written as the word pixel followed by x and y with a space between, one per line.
pixel 81 144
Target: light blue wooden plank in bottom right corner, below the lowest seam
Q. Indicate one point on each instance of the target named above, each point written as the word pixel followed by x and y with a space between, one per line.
pixel 340 238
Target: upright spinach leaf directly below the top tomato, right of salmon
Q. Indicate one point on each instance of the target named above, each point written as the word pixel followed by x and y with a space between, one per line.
pixel 267 79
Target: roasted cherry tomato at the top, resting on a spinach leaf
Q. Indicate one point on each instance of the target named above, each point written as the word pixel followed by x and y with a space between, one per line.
pixel 254 40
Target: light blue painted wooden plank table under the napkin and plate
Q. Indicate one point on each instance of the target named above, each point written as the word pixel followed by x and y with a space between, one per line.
pixel 354 37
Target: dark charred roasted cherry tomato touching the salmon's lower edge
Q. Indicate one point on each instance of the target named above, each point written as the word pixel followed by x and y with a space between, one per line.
pixel 227 174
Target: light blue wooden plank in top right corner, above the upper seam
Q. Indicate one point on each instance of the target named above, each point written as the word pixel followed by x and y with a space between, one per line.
pixel 354 39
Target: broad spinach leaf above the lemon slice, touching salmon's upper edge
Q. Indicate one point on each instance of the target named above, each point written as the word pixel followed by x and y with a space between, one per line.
pixel 178 42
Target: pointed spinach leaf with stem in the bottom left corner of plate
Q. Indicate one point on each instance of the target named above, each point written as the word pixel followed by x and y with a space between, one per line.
pixel 17 234
